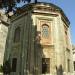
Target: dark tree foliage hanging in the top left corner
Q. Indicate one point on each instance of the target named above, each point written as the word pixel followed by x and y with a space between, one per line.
pixel 10 4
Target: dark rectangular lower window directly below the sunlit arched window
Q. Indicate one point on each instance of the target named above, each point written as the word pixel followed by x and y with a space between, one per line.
pixel 45 65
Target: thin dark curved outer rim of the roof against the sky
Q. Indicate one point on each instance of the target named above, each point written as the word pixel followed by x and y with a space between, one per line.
pixel 32 5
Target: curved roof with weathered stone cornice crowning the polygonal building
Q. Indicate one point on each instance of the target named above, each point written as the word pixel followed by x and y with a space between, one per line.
pixel 41 6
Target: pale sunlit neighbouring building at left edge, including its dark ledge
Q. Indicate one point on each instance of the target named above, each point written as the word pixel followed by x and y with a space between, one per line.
pixel 3 35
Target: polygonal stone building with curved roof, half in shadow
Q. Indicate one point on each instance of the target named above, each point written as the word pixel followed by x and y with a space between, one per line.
pixel 39 41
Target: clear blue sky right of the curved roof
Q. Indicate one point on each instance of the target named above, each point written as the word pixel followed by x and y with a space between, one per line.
pixel 68 6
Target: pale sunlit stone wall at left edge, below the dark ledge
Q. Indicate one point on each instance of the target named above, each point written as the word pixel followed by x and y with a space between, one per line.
pixel 3 36
